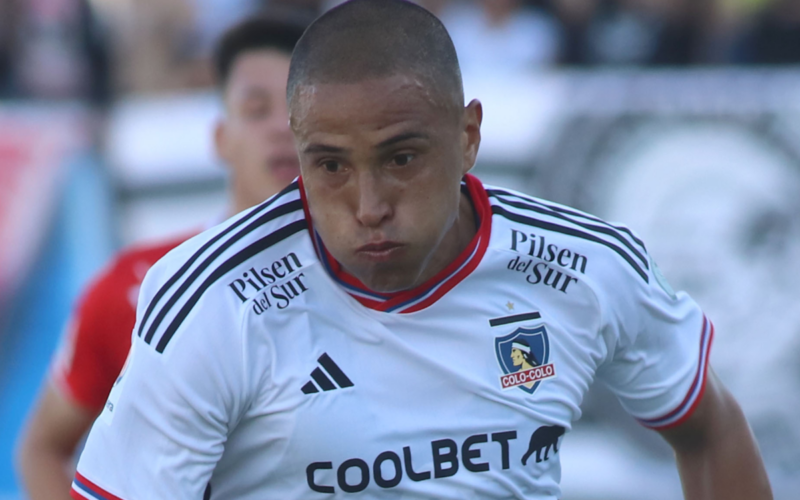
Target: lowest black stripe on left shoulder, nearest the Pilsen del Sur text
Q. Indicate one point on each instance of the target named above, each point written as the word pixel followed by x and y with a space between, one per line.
pixel 259 246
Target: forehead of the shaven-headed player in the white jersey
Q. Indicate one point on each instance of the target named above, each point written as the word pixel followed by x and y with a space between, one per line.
pixel 369 105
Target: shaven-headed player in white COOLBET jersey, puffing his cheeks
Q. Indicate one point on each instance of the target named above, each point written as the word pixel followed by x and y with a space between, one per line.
pixel 304 349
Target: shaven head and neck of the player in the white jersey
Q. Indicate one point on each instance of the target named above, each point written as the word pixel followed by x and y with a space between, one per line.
pixel 384 139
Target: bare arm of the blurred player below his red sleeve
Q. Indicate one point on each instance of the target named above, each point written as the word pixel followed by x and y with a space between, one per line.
pixel 48 444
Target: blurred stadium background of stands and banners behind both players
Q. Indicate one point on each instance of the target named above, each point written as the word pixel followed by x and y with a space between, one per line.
pixel 679 117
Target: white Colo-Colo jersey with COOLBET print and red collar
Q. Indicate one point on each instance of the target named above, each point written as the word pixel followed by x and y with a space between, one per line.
pixel 260 369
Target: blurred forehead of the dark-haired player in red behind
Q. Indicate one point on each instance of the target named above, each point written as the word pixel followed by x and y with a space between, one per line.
pixel 258 68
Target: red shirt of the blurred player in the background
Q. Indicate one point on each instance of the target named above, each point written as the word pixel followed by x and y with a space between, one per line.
pixel 98 334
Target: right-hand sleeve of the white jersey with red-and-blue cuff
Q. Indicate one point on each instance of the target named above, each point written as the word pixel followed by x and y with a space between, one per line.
pixel 658 361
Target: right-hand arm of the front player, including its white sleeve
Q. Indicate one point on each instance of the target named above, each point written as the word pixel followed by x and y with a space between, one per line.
pixel 658 367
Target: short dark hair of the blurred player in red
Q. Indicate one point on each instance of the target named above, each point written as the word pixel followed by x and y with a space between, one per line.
pixel 279 32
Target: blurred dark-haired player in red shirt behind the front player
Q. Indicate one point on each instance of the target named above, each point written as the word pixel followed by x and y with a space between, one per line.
pixel 254 140
